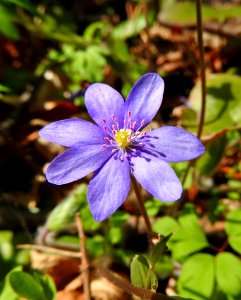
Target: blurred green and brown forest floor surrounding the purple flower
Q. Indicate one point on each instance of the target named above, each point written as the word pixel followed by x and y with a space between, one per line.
pixel 50 51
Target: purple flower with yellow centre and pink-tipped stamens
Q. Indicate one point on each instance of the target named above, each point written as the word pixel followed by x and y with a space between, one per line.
pixel 119 145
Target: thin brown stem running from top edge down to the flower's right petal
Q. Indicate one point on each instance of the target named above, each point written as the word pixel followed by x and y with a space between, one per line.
pixel 202 65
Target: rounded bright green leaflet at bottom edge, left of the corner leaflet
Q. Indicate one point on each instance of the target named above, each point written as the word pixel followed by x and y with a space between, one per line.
pixel 197 278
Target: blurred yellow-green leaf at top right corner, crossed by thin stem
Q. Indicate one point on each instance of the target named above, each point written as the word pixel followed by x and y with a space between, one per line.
pixel 185 12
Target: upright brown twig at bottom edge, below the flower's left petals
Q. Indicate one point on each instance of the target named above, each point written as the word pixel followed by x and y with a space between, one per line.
pixel 84 261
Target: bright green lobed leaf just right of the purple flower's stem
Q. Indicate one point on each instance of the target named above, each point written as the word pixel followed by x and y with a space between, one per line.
pixel 189 236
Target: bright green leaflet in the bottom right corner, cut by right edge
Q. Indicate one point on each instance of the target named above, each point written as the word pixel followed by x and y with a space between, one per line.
pixel 228 273
